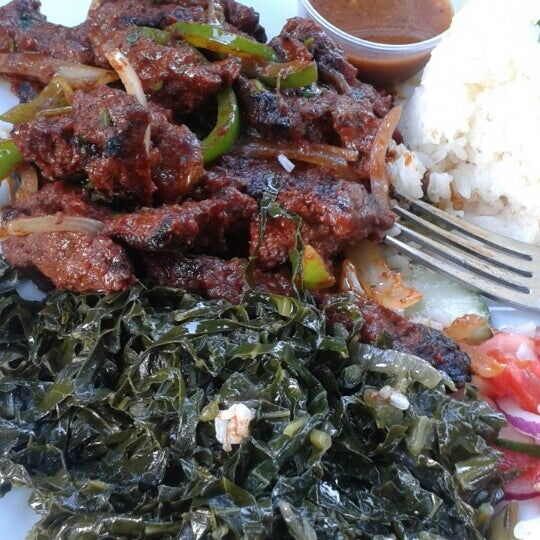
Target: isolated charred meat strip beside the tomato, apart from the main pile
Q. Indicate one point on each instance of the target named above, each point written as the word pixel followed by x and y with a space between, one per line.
pixel 405 336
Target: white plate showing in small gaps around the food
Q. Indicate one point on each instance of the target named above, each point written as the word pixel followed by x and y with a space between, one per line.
pixel 16 517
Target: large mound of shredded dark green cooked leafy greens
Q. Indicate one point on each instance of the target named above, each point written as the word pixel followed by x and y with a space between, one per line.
pixel 107 407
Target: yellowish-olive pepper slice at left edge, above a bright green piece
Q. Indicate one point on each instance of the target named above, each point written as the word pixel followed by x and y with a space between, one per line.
pixel 53 96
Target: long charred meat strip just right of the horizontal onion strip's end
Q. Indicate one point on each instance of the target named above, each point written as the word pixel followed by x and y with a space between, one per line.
pixel 202 226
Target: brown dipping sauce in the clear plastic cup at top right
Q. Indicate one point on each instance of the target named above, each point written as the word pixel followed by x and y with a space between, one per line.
pixel 394 22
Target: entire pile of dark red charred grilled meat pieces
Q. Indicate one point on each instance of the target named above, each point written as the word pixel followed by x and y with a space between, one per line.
pixel 177 218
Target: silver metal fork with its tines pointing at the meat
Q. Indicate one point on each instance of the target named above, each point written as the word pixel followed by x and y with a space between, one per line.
pixel 497 267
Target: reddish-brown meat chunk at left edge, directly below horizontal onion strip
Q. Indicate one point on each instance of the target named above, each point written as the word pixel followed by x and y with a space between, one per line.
pixel 72 261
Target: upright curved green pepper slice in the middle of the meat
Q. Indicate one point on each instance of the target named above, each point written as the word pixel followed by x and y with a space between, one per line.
pixel 224 136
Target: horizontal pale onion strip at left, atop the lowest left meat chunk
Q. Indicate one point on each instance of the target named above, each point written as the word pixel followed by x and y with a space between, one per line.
pixel 25 226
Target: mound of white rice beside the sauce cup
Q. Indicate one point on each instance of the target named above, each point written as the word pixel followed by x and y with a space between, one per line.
pixel 474 121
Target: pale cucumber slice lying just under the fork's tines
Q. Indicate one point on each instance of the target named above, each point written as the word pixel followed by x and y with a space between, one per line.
pixel 443 300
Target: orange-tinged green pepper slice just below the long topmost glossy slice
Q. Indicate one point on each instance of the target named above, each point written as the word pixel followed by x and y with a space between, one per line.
pixel 287 75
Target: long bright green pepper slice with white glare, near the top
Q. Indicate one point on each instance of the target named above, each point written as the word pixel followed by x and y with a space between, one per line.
pixel 216 39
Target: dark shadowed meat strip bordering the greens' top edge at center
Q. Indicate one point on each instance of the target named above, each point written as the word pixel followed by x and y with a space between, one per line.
pixel 213 278
